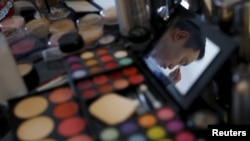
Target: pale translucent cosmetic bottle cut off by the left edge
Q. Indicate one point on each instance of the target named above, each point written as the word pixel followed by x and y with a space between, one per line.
pixel 11 84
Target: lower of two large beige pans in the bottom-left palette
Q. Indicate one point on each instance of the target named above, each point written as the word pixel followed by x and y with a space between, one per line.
pixel 35 128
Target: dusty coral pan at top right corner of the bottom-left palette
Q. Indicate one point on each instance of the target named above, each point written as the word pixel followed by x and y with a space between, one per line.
pixel 60 95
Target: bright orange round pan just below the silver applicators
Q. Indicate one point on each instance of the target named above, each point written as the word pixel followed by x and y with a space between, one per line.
pixel 147 120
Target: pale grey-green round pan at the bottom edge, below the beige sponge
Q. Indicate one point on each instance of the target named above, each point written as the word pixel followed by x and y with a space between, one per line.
pixel 109 134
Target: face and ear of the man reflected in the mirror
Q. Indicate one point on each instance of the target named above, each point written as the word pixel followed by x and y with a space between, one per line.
pixel 171 50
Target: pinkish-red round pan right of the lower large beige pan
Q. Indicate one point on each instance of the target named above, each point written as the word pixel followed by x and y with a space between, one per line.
pixel 71 126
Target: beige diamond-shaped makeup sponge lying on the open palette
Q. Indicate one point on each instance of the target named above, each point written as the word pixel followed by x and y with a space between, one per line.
pixel 112 108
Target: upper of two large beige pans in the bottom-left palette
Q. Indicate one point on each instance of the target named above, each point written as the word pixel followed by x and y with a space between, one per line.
pixel 31 107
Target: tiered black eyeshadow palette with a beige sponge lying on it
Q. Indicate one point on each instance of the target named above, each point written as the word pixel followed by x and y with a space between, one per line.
pixel 121 104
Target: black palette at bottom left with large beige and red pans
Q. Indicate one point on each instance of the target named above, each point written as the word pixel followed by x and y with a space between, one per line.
pixel 52 115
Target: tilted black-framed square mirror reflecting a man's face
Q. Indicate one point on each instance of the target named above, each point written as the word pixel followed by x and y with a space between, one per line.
pixel 164 55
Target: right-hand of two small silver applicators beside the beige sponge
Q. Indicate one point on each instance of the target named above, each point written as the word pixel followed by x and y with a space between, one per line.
pixel 144 89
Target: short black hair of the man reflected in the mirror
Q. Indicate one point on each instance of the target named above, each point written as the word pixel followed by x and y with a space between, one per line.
pixel 196 39
